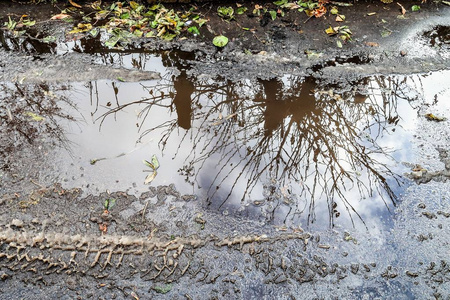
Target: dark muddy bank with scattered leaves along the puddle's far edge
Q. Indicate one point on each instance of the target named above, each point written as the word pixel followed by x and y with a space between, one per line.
pixel 381 43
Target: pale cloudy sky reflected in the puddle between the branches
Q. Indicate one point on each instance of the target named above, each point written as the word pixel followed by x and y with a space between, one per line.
pixel 119 134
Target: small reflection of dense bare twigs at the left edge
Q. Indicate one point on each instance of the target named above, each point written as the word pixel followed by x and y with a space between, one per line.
pixel 29 113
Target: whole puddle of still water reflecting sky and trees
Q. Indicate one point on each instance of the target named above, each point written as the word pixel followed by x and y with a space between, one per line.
pixel 287 151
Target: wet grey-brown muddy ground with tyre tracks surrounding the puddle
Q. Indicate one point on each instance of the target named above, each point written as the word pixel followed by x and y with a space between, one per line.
pixel 60 242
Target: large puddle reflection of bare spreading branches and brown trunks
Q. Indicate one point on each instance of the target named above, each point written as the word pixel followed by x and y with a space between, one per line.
pixel 312 142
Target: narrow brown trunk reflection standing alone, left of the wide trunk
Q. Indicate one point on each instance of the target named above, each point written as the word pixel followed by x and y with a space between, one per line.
pixel 184 89
